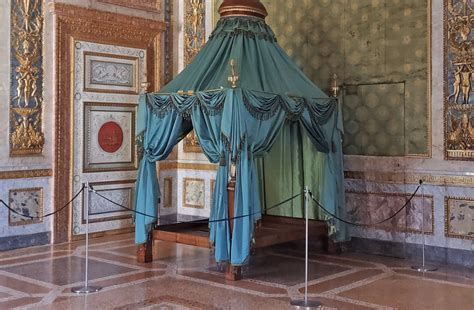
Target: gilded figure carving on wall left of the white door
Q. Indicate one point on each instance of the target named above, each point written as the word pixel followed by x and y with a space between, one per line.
pixel 26 100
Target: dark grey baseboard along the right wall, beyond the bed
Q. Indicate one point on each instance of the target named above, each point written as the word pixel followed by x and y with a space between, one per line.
pixel 413 252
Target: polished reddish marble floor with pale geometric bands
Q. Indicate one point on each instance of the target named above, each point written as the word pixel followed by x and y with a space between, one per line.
pixel 185 277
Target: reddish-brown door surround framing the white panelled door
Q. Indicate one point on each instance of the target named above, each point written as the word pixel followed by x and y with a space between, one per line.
pixel 79 23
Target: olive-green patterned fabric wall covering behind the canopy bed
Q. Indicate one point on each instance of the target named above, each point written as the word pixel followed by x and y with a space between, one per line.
pixel 379 48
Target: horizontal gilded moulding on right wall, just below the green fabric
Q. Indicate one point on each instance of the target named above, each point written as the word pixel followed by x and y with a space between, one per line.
pixel 410 178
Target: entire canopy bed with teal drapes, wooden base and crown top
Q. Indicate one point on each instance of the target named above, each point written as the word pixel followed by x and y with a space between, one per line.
pixel 240 93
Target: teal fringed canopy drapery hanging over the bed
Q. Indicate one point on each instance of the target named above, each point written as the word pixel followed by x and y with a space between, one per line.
pixel 239 125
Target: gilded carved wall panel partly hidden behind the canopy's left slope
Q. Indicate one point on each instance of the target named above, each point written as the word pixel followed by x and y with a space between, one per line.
pixel 194 39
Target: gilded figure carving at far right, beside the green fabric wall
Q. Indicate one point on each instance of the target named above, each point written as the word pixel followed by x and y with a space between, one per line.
pixel 458 75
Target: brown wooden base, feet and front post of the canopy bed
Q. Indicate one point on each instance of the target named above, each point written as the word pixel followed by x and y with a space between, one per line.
pixel 270 230
